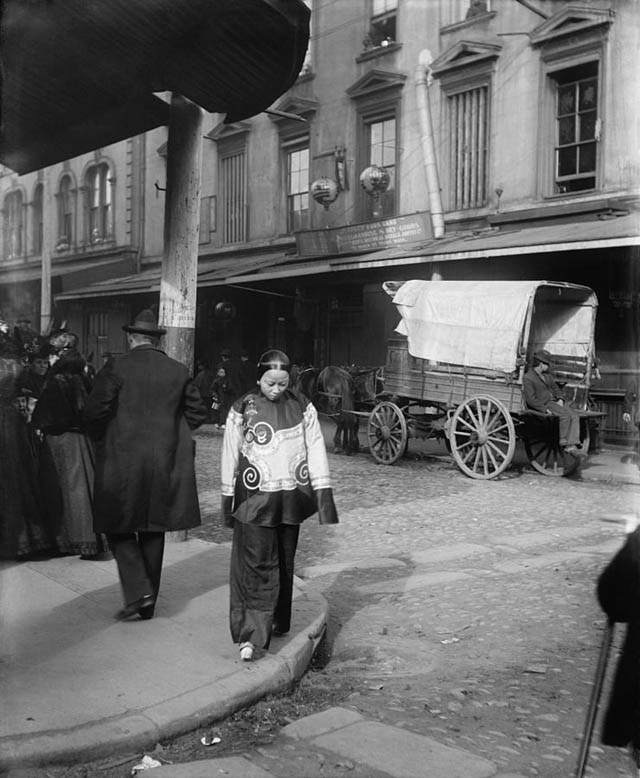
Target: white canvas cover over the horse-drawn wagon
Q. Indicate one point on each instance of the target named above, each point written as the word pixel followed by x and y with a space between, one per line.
pixel 481 323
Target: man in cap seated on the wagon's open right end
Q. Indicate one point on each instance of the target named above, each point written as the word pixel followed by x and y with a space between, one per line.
pixel 542 394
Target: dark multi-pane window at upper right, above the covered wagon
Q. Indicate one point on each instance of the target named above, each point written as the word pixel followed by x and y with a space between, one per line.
pixel 577 128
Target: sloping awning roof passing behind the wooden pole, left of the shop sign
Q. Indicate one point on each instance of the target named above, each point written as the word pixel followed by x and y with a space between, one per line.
pixel 218 271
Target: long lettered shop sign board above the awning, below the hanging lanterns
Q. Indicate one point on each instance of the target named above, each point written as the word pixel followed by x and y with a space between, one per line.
pixel 367 236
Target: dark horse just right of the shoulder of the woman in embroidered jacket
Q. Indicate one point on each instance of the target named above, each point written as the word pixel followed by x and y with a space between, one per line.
pixel 335 397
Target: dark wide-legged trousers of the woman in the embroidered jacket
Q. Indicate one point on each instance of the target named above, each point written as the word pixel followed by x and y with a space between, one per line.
pixel 261 581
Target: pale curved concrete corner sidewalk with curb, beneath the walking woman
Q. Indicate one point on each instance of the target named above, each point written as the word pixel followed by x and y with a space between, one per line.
pixel 77 685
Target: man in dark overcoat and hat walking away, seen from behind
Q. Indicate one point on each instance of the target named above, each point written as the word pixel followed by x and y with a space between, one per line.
pixel 140 414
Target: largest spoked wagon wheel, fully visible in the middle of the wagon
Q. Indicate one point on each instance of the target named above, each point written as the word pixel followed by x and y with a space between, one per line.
pixel 482 437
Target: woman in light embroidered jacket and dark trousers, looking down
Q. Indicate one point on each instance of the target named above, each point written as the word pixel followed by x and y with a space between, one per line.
pixel 274 475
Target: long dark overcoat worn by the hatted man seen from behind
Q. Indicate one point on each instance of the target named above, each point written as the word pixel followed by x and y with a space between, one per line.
pixel 140 414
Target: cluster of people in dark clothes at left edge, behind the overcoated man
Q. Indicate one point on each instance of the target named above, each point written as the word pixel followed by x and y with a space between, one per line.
pixel 46 459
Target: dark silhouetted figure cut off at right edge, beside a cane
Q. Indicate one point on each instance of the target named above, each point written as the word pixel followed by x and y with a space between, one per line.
pixel 619 596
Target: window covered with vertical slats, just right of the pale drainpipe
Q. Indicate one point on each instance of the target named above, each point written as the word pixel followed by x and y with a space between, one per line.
pixel 468 152
